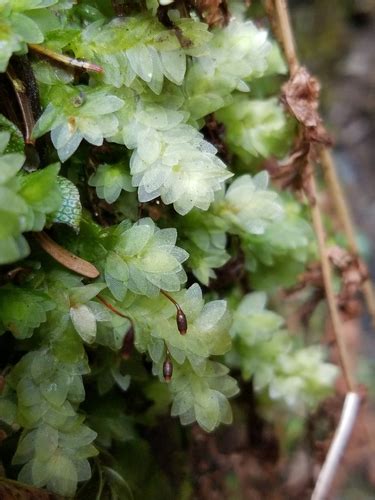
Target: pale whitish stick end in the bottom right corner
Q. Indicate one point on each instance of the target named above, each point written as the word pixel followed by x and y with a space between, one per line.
pixel 338 445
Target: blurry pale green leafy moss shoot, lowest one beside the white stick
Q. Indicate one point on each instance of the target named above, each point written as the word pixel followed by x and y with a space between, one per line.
pixel 297 377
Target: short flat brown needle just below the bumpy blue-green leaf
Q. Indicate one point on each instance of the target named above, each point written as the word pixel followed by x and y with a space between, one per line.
pixel 66 258
